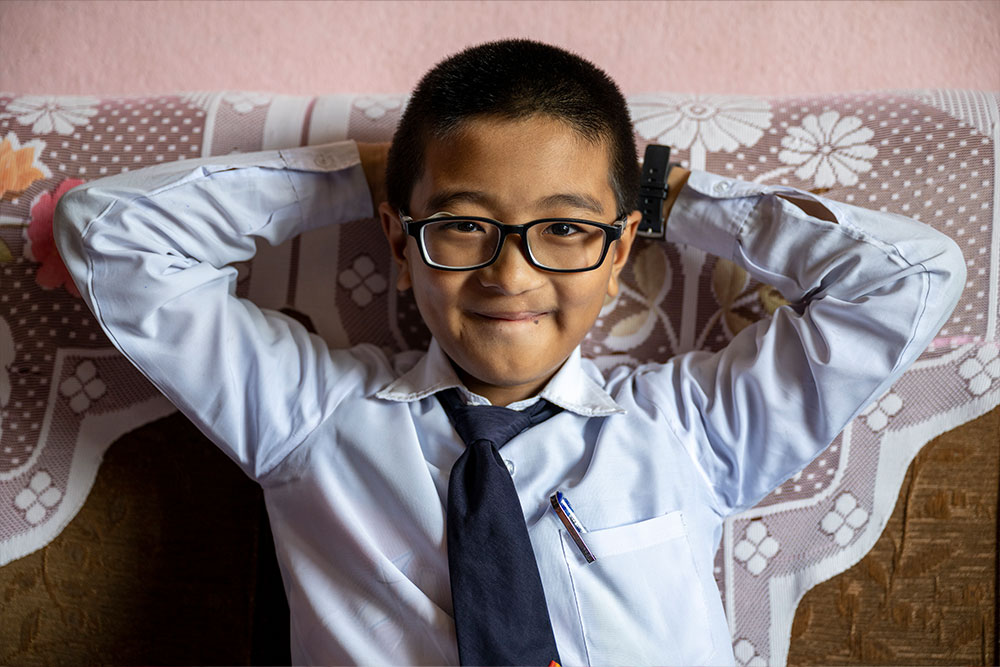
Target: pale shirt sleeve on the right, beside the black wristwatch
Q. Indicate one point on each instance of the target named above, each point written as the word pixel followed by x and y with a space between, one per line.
pixel 868 292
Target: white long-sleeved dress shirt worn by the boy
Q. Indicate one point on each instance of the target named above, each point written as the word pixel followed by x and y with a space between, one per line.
pixel 354 451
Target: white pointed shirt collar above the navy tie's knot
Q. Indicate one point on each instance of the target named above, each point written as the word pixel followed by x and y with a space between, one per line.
pixel 571 388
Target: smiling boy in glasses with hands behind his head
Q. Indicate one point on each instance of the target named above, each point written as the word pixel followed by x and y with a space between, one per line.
pixel 357 451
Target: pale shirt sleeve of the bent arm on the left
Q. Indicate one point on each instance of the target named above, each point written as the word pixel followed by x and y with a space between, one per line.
pixel 152 254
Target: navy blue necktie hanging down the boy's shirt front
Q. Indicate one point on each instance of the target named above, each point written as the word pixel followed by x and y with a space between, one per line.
pixel 496 592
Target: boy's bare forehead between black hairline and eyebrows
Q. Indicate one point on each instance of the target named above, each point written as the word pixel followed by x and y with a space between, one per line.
pixel 512 167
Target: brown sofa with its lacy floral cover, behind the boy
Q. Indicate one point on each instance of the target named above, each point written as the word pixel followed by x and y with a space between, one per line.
pixel 125 537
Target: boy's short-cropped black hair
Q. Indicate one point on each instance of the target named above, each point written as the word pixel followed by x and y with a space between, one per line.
pixel 513 80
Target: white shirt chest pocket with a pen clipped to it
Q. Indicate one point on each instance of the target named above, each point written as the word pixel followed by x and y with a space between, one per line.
pixel 641 601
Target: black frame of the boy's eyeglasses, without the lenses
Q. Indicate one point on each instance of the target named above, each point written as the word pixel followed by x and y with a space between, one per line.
pixel 414 228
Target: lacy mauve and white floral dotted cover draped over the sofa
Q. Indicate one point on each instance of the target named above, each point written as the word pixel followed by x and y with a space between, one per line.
pixel 66 394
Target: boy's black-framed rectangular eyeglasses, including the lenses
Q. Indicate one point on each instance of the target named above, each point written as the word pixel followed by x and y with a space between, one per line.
pixel 463 243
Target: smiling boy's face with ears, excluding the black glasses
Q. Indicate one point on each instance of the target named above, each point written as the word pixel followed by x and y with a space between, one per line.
pixel 508 327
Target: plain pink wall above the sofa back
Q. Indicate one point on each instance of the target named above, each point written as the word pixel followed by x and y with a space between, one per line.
pixel 312 47
